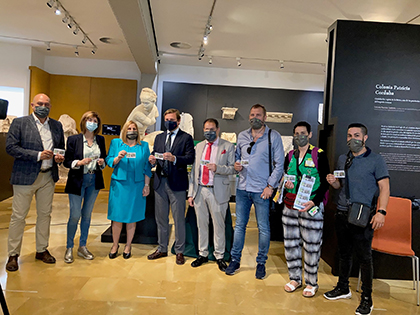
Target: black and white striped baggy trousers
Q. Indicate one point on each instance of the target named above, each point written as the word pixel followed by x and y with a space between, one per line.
pixel 300 228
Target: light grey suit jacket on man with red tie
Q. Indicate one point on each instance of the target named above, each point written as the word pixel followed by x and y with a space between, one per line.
pixel 224 161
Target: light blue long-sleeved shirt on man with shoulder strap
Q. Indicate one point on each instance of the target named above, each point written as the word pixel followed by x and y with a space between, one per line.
pixel 256 175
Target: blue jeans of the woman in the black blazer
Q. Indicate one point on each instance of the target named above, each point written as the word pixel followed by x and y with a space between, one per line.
pixel 88 195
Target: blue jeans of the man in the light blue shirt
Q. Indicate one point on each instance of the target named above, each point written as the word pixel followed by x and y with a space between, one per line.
pixel 244 201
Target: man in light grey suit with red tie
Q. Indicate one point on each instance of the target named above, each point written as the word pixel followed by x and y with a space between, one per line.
pixel 209 190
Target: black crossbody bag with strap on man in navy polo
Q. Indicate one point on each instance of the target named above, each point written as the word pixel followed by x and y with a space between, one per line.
pixel 358 213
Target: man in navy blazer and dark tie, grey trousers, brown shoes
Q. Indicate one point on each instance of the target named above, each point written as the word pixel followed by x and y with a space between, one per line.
pixel 175 150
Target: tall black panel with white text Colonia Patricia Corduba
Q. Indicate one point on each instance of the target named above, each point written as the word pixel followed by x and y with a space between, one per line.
pixel 372 78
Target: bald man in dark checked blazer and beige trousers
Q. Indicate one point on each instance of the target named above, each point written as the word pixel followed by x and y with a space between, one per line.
pixel 31 141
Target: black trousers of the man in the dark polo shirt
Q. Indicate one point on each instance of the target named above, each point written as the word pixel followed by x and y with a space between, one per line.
pixel 353 238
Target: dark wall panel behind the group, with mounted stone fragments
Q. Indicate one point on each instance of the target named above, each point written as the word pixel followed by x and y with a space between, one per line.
pixel 205 101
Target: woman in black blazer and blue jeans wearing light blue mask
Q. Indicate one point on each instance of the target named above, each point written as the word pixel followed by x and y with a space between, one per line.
pixel 84 156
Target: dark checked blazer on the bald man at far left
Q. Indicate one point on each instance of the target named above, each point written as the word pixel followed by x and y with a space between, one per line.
pixel 24 143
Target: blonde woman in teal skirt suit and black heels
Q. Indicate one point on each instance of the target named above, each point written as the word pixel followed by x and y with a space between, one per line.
pixel 129 184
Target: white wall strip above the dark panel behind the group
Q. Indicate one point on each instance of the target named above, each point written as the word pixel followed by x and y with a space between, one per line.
pixel 236 77
